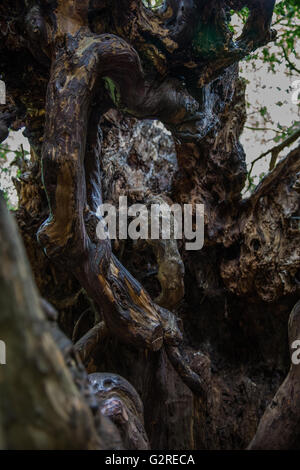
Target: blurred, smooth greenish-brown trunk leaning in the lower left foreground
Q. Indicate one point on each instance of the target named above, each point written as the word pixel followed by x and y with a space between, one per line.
pixel 40 405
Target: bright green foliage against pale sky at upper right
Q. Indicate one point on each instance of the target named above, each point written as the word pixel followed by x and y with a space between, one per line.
pixel 282 53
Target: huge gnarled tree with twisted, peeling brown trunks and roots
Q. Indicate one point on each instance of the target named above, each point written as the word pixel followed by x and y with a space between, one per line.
pixel 143 344
